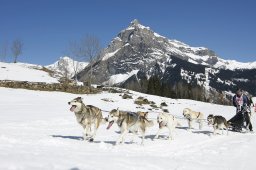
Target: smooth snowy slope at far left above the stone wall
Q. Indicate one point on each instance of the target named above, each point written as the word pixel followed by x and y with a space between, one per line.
pixel 24 72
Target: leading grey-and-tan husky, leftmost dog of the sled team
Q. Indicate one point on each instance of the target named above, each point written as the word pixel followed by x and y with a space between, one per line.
pixel 86 116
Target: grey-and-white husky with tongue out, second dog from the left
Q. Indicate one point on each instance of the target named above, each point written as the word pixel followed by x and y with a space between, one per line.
pixel 129 121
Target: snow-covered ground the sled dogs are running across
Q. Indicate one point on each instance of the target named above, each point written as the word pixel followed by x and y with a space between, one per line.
pixel 37 131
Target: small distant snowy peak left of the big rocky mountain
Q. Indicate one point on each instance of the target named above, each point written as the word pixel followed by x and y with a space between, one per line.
pixel 66 67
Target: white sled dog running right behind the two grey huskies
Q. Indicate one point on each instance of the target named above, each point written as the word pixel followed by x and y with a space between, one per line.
pixel 166 120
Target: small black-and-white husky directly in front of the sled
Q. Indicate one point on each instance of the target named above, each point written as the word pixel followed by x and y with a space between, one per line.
pixel 218 123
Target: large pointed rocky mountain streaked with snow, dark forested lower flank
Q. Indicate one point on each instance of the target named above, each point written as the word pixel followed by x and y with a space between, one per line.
pixel 138 53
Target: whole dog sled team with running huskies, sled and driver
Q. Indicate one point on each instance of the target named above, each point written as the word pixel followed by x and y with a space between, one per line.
pixel 90 118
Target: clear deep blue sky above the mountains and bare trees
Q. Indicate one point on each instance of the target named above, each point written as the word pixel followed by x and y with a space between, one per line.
pixel 46 26
